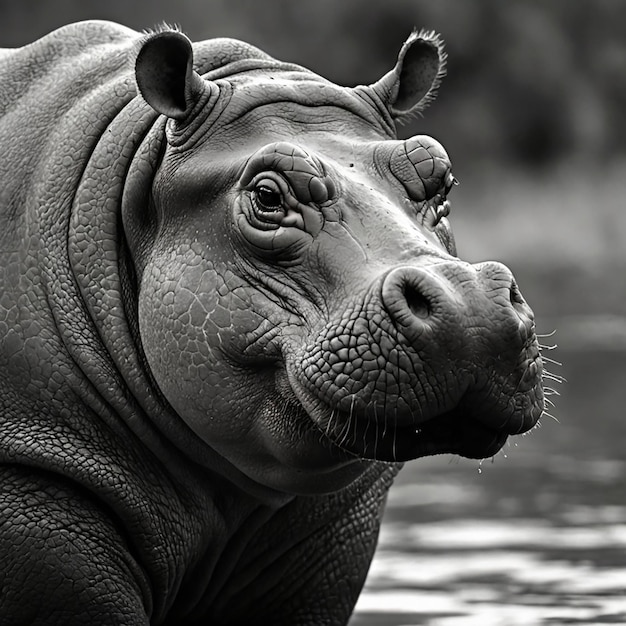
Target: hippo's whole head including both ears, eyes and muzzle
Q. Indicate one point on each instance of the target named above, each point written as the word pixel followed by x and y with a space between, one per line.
pixel 301 304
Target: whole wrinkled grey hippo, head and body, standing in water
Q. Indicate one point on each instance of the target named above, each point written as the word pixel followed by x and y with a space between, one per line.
pixel 230 306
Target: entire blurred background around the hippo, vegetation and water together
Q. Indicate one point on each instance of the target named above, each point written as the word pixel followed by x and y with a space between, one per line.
pixel 533 115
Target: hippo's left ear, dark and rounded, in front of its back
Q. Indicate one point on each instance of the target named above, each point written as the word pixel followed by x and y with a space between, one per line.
pixel 165 75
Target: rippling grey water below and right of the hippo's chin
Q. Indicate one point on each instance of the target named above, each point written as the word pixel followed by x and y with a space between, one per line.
pixel 535 536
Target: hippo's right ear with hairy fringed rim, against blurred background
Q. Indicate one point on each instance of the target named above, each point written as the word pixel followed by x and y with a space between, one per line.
pixel 412 84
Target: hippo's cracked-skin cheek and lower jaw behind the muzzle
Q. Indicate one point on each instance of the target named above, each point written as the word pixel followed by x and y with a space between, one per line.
pixel 213 360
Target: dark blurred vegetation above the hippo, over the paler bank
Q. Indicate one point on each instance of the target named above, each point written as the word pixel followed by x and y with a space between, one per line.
pixel 529 82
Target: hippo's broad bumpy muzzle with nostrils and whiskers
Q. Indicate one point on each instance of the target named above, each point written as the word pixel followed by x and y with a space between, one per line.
pixel 433 359
